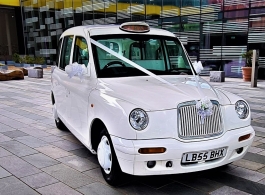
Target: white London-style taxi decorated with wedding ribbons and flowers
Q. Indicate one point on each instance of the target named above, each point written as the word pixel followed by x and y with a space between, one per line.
pixel 131 95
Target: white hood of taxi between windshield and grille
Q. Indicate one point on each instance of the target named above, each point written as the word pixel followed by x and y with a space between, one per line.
pixel 150 94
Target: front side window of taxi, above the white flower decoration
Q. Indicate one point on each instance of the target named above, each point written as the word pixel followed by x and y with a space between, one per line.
pixel 81 55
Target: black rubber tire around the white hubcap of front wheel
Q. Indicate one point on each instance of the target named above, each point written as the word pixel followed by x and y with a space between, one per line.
pixel 115 176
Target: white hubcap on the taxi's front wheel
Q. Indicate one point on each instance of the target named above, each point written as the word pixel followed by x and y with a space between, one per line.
pixel 104 154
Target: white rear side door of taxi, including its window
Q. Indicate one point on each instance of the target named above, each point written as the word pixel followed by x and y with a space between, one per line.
pixel 60 78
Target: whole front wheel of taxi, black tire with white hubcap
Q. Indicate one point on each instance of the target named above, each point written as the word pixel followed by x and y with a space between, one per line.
pixel 108 161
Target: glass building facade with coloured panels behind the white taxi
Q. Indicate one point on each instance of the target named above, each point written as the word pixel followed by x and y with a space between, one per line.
pixel 216 32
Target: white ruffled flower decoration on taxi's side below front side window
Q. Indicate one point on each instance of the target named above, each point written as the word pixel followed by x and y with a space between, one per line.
pixel 76 69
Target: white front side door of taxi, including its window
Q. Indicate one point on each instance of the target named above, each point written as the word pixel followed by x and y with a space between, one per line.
pixel 80 89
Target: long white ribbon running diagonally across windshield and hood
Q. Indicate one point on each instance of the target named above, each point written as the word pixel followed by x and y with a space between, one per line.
pixel 136 65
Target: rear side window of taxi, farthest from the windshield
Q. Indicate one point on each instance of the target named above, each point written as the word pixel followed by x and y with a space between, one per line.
pixel 66 52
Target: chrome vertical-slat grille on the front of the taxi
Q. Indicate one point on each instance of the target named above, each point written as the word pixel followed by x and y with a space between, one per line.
pixel 189 125
